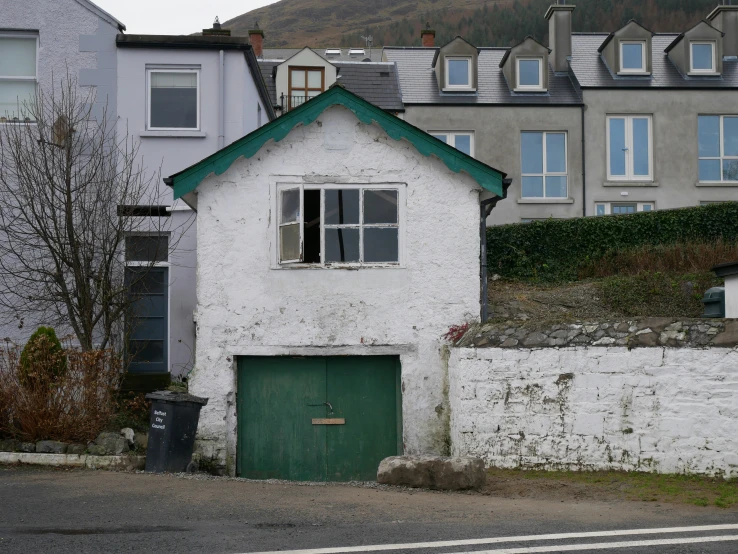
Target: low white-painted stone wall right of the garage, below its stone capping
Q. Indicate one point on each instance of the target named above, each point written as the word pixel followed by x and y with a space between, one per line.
pixel 670 410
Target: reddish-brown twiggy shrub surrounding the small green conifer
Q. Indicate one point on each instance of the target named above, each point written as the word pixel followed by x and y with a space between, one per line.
pixel 74 406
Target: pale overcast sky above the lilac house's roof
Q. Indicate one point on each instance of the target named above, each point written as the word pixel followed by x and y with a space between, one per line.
pixel 175 17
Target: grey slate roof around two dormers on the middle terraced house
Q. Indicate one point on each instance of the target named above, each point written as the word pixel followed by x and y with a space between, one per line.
pixel 419 86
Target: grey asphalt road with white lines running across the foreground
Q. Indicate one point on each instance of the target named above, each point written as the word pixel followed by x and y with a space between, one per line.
pixel 97 511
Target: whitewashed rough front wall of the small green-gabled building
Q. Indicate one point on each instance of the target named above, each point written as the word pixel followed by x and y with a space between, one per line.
pixel 244 307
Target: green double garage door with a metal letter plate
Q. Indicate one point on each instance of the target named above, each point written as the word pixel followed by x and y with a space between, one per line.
pixel 317 419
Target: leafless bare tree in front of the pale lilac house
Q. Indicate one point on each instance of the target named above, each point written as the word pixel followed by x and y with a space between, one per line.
pixel 71 190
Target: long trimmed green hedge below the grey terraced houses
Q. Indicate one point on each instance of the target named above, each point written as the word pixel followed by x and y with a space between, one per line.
pixel 554 249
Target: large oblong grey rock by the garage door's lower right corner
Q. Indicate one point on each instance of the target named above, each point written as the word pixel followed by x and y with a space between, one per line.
pixel 432 472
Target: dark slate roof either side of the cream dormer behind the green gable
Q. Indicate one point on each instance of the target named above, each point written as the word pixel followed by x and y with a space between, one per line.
pixel 374 82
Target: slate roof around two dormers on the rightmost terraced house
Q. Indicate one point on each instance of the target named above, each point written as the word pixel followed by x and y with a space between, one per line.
pixel 592 72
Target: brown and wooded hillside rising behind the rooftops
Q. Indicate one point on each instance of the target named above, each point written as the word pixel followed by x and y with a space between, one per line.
pixel 320 23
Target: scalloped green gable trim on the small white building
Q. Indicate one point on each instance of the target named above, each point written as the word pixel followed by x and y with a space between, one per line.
pixel 187 180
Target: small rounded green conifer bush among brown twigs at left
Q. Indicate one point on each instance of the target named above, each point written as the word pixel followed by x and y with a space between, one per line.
pixel 42 360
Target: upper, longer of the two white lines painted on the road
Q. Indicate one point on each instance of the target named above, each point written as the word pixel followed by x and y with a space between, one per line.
pixel 523 538
